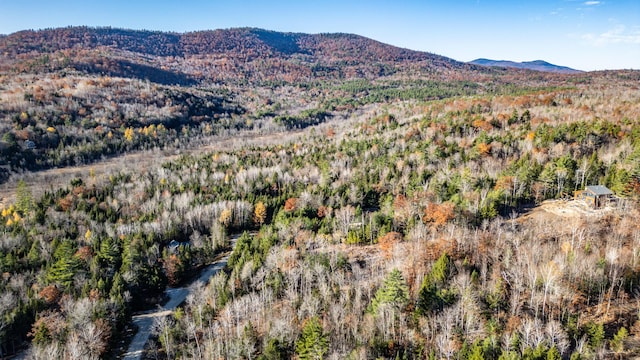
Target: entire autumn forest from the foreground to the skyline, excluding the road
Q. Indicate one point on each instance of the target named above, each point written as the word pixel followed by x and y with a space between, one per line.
pixel 400 218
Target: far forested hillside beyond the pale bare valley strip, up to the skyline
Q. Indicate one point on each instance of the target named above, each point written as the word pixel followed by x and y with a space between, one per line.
pixel 72 96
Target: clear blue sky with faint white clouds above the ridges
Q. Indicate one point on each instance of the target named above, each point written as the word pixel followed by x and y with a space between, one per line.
pixel 583 34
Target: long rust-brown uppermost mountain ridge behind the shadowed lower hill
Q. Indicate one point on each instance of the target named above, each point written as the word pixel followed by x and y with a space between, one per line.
pixel 264 42
